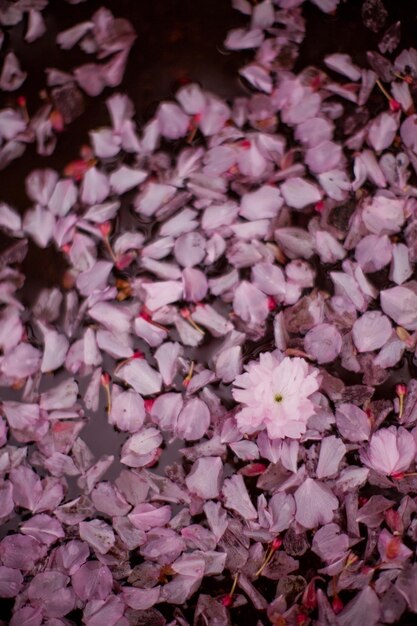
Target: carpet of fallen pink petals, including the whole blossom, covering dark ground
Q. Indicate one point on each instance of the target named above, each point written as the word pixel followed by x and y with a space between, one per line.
pixel 224 302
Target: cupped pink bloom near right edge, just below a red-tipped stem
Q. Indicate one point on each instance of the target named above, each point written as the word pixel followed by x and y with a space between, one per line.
pixel 390 451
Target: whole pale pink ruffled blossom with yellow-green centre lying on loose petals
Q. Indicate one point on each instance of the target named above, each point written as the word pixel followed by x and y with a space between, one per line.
pixel 276 396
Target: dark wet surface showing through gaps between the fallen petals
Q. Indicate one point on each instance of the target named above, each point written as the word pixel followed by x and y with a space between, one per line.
pixel 178 40
